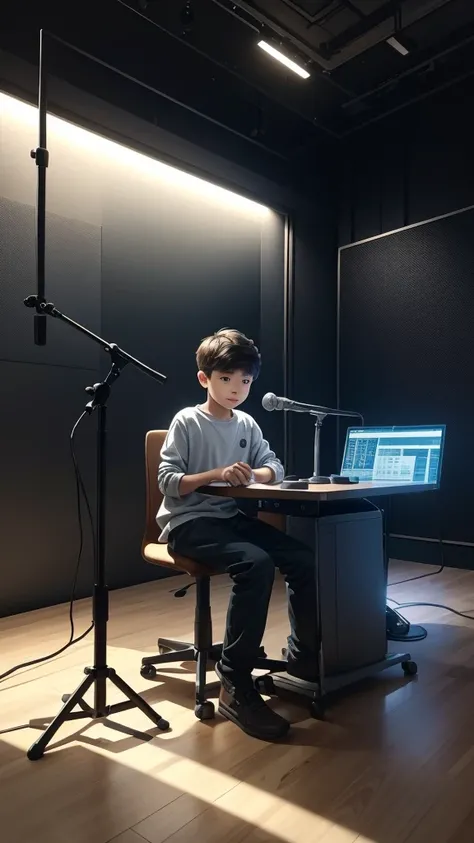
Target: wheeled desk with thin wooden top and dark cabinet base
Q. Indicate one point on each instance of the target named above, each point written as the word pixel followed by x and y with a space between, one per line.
pixel 350 576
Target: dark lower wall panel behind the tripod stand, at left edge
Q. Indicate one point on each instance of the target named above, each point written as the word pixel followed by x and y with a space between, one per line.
pixel 38 513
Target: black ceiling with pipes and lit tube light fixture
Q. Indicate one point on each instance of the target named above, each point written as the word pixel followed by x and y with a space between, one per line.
pixel 355 74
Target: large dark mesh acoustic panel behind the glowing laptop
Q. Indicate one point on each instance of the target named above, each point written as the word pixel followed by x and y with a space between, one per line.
pixel 406 355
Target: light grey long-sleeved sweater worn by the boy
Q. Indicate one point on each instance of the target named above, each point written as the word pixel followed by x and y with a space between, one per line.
pixel 197 442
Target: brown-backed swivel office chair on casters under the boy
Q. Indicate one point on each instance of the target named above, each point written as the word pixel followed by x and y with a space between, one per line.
pixel 202 650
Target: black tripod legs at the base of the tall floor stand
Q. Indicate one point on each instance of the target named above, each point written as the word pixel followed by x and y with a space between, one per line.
pixel 97 677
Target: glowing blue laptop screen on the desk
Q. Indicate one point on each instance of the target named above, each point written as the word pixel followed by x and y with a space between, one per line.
pixel 392 454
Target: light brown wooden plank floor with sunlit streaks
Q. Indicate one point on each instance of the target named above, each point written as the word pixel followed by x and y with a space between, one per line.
pixel 393 763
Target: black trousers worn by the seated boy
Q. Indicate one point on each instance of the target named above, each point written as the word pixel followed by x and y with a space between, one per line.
pixel 249 550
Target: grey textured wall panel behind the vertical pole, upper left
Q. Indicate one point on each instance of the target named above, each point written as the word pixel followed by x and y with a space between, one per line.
pixel 72 274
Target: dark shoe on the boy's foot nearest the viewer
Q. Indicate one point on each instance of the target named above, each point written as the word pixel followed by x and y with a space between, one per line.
pixel 245 707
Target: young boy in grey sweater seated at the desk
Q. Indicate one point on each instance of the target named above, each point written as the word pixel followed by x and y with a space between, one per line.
pixel 217 442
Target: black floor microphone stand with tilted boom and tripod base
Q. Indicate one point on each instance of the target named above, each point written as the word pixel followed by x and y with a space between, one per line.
pixel 97 675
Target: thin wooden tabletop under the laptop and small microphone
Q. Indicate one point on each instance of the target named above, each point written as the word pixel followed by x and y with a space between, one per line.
pixel 331 491
